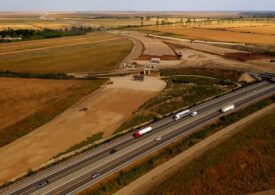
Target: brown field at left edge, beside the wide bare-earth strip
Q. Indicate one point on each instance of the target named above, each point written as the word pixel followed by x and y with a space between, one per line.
pixel 26 104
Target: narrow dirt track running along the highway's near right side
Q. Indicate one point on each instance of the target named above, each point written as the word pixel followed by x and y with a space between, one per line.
pixel 144 183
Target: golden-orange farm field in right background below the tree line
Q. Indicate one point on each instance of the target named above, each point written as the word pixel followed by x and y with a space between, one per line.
pixel 214 35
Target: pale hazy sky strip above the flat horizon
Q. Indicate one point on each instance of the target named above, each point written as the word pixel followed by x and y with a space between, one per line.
pixel 137 5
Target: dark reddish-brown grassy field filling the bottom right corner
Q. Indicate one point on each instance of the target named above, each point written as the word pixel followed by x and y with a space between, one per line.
pixel 243 164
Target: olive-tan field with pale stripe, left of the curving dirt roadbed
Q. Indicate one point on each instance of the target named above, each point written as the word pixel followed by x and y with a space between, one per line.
pixel 94 52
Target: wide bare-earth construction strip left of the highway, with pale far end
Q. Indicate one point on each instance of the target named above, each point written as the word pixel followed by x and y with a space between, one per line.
pixel 108 109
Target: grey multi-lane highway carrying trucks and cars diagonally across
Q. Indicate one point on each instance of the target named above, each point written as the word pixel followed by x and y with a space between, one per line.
pixel 74 175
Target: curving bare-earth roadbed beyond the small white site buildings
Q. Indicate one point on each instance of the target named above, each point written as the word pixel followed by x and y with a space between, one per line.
pixel 152 47
